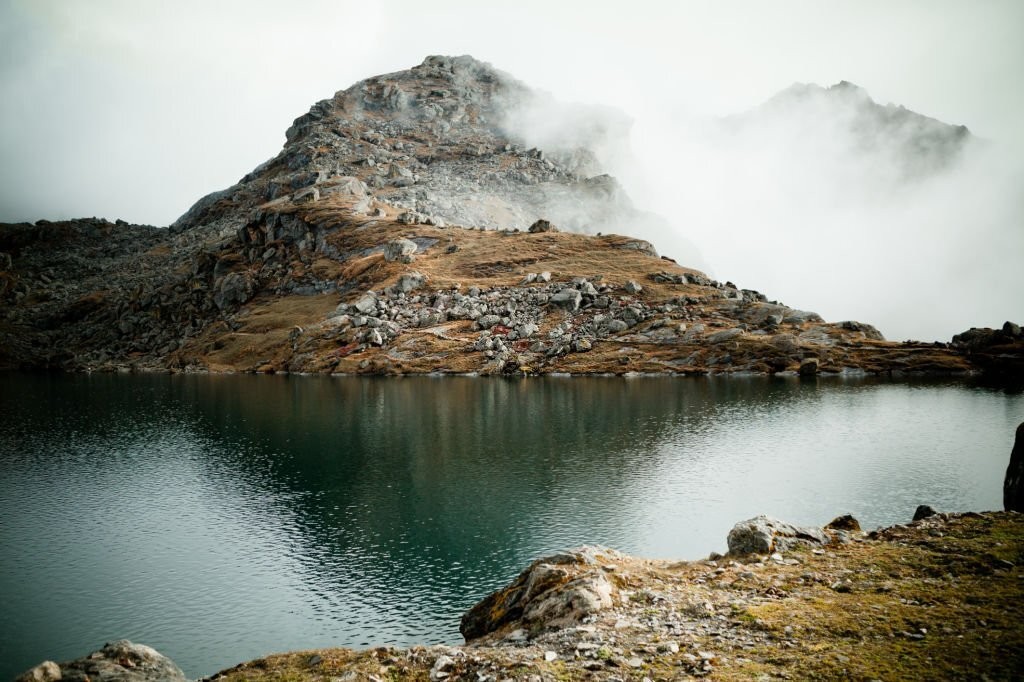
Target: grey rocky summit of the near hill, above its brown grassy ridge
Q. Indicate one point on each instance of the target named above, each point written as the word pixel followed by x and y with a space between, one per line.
pixel 450 139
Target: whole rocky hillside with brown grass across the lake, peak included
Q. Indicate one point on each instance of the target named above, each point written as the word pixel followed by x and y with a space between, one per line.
pixel 391 236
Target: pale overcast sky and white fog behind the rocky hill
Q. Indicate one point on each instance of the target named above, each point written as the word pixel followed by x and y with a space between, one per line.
pixel 134 111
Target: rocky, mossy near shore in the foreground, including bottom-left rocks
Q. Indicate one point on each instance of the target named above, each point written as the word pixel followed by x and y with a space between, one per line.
pixel 936 599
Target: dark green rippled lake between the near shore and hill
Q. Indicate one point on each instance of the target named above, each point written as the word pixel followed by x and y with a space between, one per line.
pixel 222 519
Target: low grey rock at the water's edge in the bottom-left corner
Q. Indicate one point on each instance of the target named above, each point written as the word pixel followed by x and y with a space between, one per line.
pixel 118 662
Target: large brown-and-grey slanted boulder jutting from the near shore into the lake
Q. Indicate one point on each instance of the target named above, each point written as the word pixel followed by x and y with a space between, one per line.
pixel 554 591
